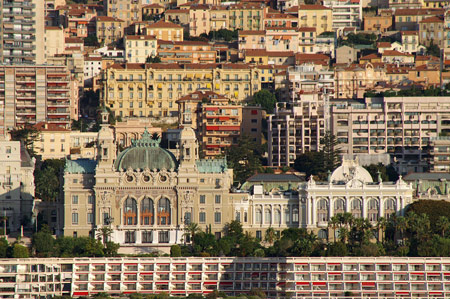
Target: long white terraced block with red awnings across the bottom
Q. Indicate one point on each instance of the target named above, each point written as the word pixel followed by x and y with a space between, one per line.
pixel 291 277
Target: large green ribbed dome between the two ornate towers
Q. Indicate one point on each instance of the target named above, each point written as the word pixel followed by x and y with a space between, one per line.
pixel 146 153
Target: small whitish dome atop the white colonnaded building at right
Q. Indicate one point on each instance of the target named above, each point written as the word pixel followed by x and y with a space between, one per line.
pixel 349 170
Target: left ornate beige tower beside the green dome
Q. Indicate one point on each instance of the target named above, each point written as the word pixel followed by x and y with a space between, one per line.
pixel 106 150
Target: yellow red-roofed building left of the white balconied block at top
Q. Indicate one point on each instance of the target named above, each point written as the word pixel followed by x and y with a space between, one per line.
pixel 315 15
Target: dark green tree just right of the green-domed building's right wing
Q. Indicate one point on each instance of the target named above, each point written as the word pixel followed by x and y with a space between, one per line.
pixel 244 159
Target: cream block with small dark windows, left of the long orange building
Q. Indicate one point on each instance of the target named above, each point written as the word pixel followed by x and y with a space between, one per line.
pixel 140 47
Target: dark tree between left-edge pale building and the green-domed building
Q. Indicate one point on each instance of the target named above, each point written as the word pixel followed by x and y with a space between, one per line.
pixel 47 179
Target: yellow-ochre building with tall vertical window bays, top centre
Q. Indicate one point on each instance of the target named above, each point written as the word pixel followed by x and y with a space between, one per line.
pixel 246 16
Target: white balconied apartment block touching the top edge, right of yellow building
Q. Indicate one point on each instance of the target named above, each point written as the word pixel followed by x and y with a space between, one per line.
pixel 347 13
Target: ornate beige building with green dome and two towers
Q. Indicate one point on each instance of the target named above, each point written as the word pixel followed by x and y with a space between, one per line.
pixel 147 202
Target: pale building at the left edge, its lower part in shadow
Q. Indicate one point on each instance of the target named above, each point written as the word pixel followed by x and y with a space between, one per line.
pixel 16 183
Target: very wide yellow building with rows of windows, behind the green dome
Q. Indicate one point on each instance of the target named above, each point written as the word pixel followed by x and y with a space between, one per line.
pixel 153 89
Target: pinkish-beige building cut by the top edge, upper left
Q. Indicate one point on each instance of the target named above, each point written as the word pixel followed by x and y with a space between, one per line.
pixel 128 11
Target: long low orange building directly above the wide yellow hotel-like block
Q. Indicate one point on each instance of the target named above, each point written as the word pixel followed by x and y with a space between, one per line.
pixel 186 52
